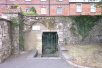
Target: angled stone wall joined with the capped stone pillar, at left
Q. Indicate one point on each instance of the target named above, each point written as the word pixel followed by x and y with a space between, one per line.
pixel 11 35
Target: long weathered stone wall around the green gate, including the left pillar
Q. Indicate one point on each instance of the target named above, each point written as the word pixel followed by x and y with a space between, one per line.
pixel 59 24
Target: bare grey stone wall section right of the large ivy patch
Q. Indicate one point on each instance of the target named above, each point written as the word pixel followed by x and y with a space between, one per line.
pixel 96 33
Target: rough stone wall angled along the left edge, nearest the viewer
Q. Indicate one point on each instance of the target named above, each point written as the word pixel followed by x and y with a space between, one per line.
pixel 5 40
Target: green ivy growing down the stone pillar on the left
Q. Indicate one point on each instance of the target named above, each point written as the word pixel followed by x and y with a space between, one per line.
pixel 17 23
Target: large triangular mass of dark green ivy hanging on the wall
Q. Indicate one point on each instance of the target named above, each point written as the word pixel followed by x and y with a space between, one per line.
pixel 83 24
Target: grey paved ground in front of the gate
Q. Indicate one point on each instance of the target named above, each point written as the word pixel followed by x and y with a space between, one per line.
pixel 22 61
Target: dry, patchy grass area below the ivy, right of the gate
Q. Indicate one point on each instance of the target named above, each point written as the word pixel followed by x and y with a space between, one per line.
pixel 86 54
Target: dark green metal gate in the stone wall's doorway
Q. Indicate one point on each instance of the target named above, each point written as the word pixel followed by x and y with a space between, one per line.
pixel 49 42
